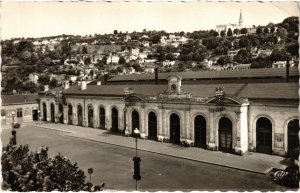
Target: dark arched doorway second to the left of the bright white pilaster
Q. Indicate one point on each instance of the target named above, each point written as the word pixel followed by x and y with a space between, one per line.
pixel 200 131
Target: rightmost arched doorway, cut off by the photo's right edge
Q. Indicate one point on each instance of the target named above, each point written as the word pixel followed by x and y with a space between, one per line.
pixel 293 138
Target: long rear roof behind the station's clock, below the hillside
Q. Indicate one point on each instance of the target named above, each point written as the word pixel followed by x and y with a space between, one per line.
pixel 230 74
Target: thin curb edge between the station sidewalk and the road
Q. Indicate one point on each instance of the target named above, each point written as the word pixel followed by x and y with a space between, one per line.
pixel 175 156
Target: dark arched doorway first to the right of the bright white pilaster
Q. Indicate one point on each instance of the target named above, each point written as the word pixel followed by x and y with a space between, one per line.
pixel 264 135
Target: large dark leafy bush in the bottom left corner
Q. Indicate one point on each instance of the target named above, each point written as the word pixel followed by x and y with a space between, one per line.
pixel 25 171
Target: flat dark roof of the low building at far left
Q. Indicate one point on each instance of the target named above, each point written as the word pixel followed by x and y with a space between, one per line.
pixel 19 99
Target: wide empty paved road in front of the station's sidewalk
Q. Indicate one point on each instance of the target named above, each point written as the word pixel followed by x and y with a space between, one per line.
pixel 114 166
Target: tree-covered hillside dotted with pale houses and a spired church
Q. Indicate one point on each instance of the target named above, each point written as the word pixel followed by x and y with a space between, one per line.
pixel 30 63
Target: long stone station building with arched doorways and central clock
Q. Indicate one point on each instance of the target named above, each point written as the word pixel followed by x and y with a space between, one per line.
pixel 247 115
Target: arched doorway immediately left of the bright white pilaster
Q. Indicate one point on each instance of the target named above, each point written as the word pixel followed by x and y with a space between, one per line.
pixel 225 134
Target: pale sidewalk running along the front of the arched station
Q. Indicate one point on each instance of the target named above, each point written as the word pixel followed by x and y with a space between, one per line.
pixel 251 162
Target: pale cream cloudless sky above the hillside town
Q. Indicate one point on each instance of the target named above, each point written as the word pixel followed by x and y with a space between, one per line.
pixel 40 19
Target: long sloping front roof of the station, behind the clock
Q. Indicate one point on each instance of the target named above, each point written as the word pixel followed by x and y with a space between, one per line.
pixel 240 90
